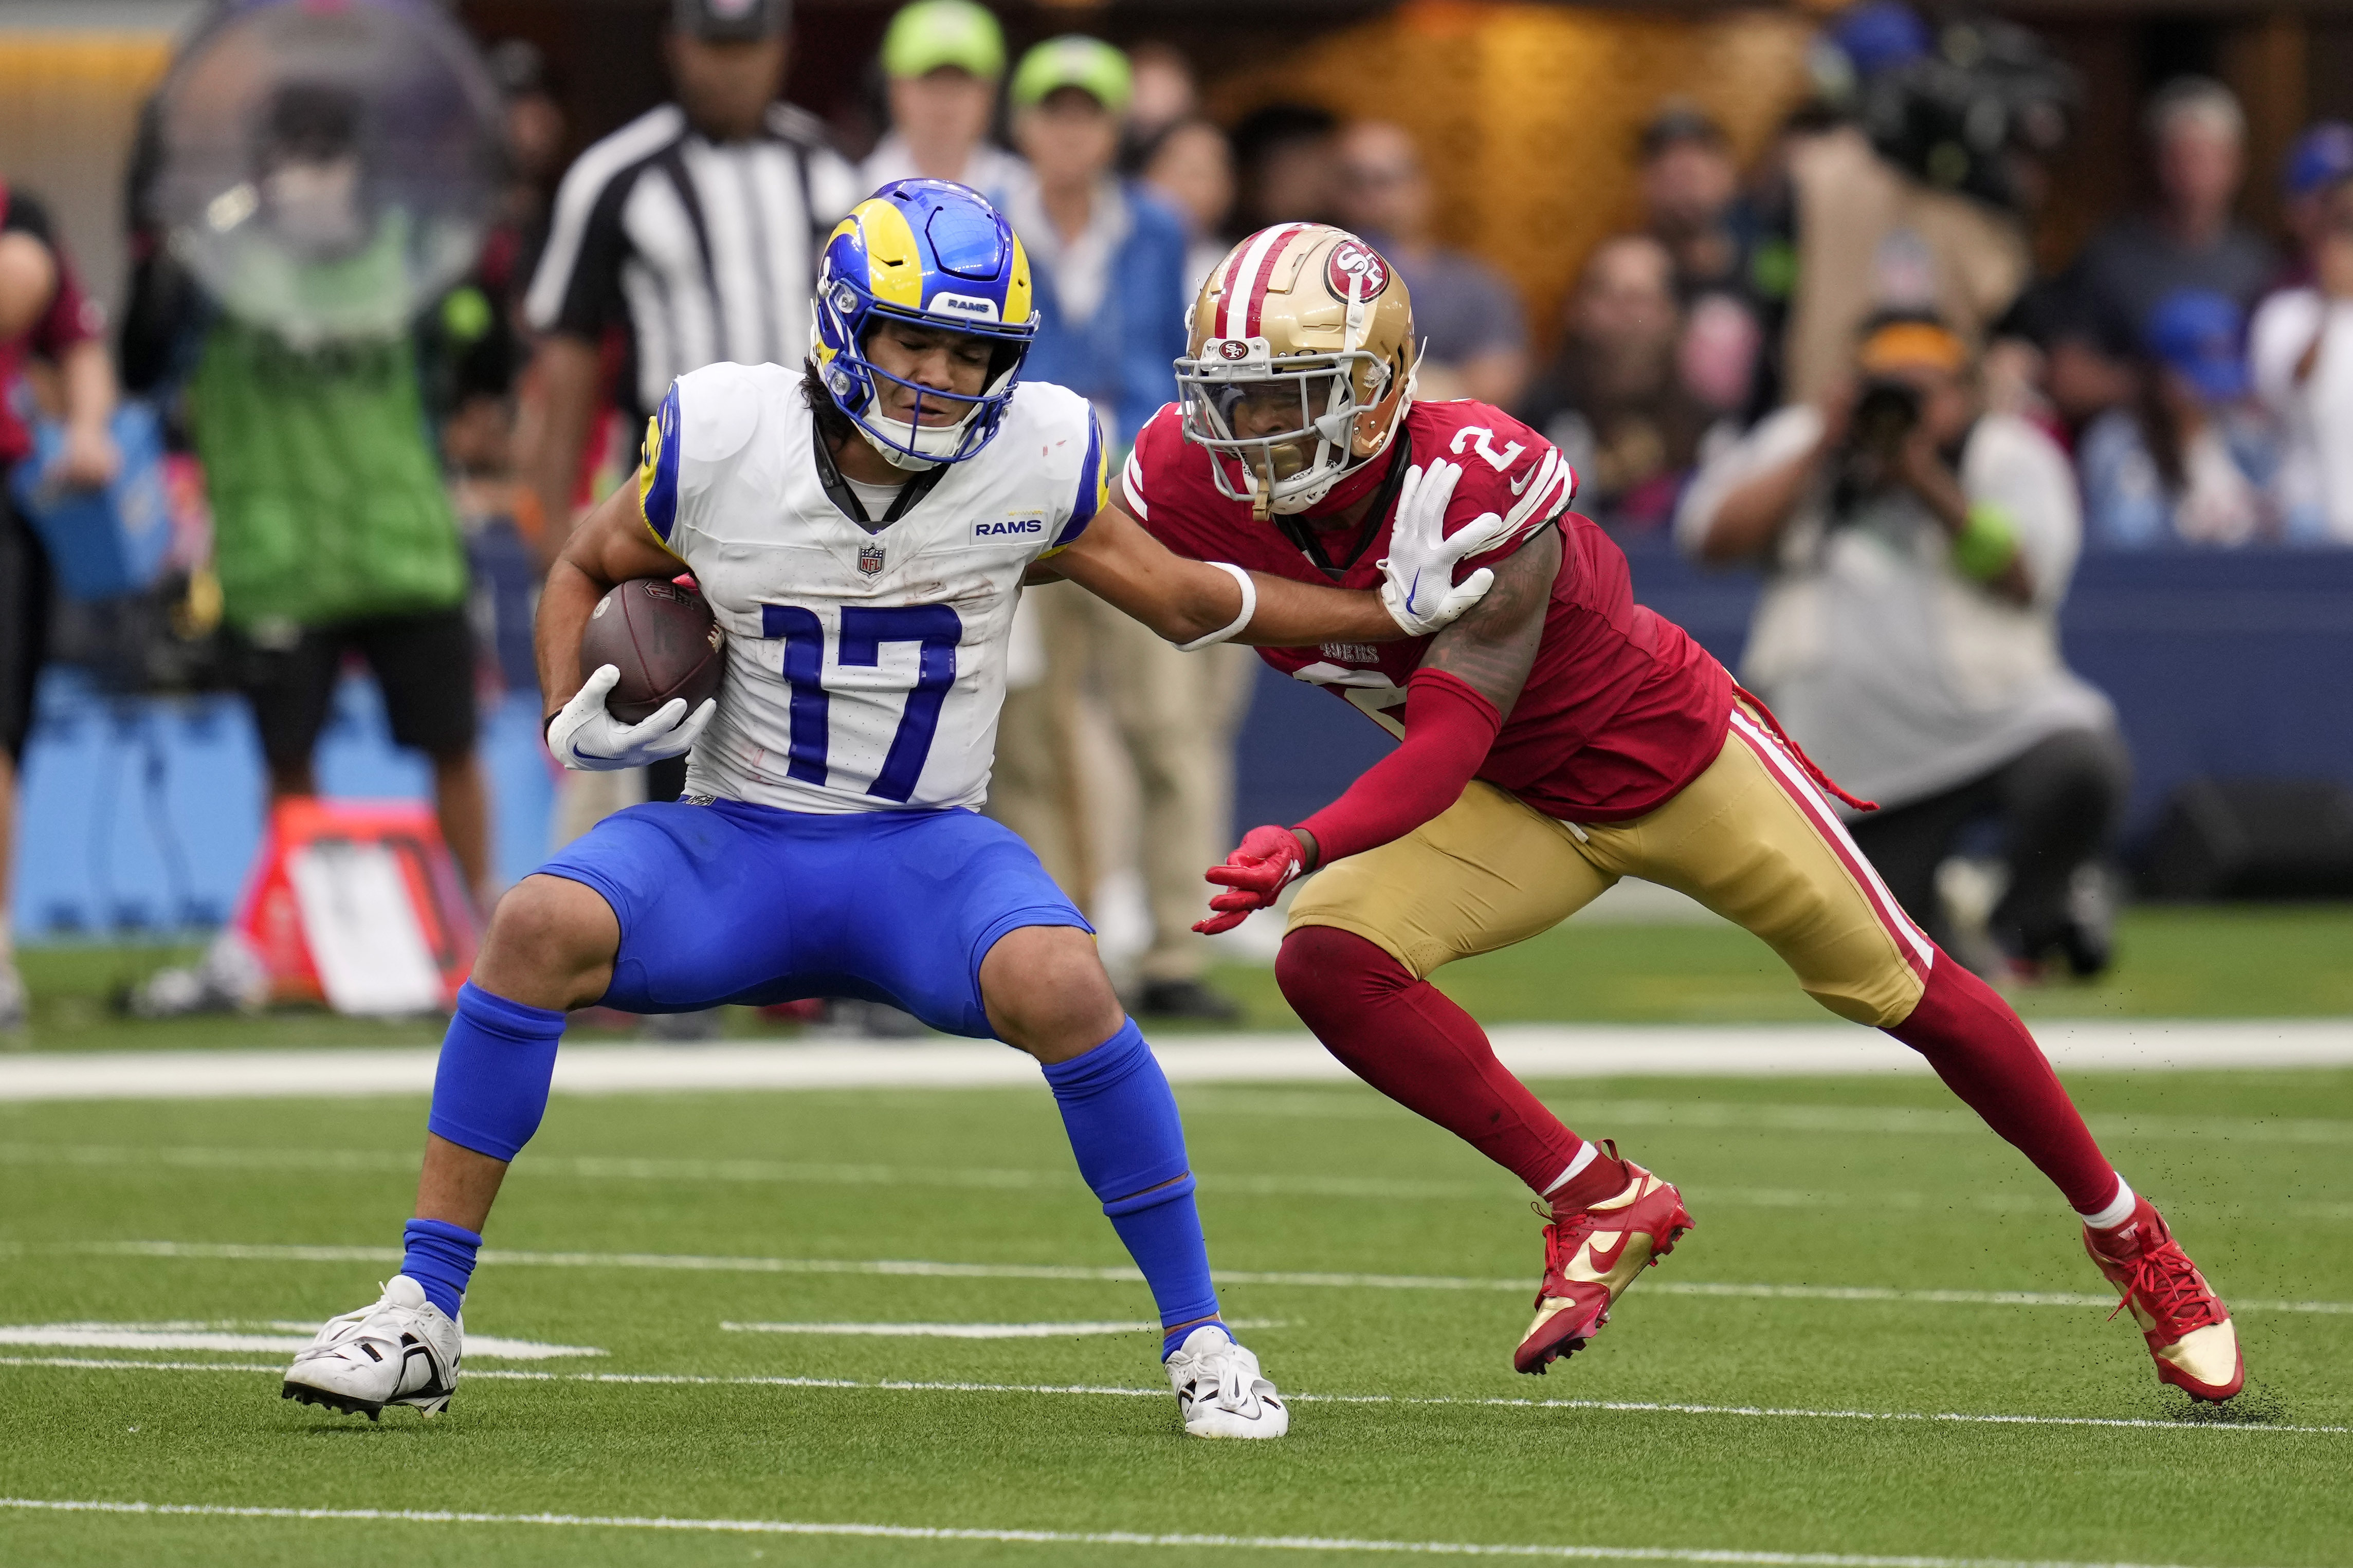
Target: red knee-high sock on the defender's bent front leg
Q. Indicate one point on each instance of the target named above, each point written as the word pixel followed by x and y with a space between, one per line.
pixel 1411 1043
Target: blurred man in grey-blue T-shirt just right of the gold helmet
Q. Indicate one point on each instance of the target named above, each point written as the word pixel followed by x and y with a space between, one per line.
pixel 1467 314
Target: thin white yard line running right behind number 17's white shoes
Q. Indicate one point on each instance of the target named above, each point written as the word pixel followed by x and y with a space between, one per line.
pixel 1086 1391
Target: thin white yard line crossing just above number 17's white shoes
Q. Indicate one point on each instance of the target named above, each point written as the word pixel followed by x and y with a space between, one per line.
pixel 244 1252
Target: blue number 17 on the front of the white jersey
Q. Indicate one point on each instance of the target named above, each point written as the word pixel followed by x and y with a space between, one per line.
pixel 938 629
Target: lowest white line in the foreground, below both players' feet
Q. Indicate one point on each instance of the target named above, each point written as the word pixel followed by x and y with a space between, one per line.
pixel 1044 1539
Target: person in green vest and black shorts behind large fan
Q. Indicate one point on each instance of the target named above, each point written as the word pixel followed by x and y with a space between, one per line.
pixel 331 528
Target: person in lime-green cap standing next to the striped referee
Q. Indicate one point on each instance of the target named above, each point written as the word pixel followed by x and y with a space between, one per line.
pixel 945 62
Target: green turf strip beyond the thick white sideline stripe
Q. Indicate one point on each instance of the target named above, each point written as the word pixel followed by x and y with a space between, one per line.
pixel 2173 963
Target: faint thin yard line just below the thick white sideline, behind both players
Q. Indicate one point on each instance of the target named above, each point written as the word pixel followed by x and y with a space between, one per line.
pixel 1220 1184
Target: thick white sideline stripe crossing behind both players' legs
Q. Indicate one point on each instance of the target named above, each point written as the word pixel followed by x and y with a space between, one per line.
pixel 1538 1052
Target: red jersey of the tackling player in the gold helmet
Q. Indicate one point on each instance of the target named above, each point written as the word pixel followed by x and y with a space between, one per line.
pixel 1620 711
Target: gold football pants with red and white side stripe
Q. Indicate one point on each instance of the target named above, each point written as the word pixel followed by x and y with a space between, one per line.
pixel 1752 840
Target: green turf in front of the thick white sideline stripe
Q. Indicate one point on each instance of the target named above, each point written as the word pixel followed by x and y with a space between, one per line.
pixel 1794 1184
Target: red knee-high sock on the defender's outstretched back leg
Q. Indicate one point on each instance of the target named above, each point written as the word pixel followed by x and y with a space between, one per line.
pixel 1985 1054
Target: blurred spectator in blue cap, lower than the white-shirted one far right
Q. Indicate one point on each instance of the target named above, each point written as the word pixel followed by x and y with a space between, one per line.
pixel 2189 462
